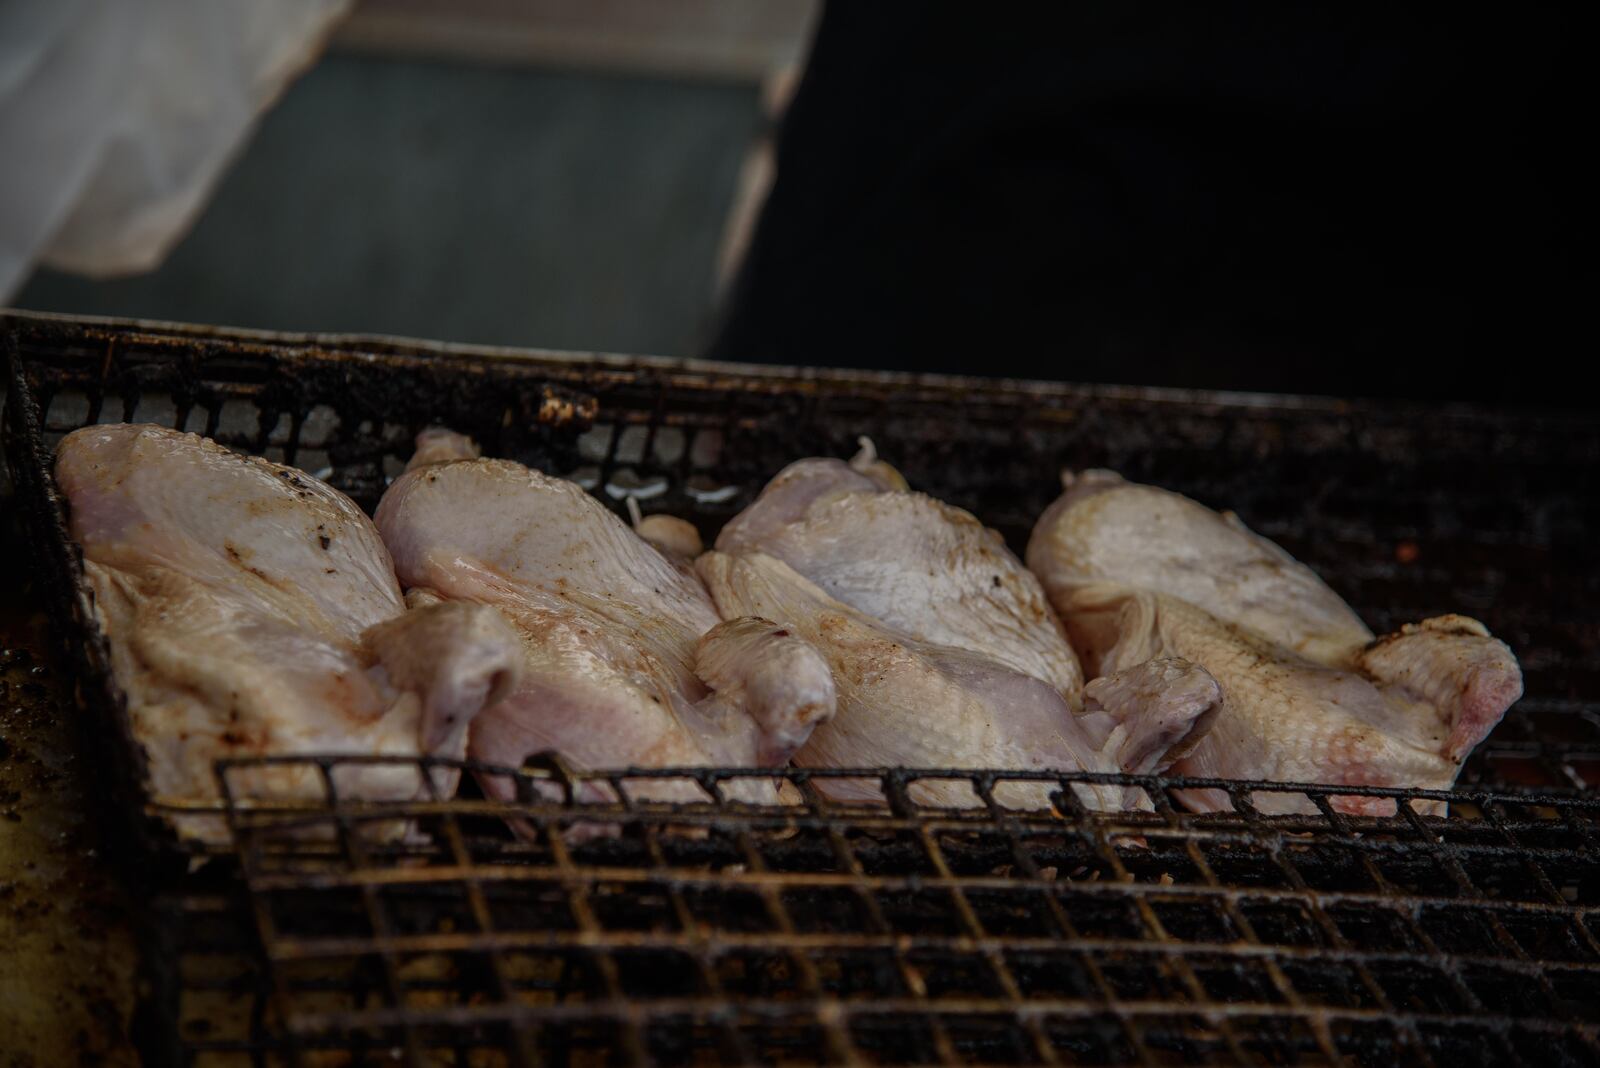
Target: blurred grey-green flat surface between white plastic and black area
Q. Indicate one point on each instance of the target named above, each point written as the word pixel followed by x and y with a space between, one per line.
pixel 478 202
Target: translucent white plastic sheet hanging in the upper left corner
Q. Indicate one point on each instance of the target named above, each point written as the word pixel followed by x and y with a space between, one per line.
pixel 118 118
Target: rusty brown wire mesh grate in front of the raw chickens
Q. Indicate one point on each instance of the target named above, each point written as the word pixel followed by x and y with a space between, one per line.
pixel 897 933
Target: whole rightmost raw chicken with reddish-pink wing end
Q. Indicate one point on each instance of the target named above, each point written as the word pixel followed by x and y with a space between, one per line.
pixel 1310 695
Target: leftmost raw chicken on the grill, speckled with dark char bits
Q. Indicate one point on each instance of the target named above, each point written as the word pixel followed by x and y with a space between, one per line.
pixel 254 610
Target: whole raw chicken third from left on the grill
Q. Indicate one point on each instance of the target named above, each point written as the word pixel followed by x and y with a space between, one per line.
pixel 945 647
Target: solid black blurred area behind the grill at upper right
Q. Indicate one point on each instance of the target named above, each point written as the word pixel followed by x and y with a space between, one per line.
pixel 1343 201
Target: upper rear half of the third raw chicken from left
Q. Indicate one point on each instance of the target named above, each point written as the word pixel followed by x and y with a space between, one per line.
pixel 924 568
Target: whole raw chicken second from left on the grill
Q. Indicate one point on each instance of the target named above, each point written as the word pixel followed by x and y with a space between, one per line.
pixel 626 661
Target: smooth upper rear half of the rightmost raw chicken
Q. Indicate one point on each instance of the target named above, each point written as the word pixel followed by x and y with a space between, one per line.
pixel 1153 540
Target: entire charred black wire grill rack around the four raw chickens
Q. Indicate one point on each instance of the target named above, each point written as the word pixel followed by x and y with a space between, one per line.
pixel 1319 939
